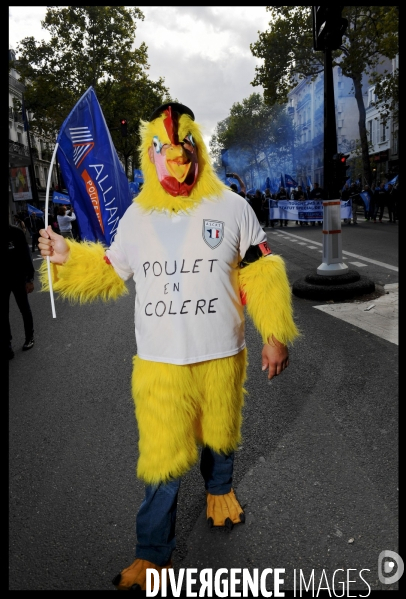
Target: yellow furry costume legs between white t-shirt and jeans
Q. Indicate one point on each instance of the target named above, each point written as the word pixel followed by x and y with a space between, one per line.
pixel 179 407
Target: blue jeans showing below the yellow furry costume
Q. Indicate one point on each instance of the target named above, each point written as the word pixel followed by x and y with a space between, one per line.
pixel 156 517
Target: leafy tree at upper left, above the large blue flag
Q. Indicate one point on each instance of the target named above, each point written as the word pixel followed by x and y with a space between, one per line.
pixel 89 46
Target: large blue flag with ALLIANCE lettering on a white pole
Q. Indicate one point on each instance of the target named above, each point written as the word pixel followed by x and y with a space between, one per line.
pixel 93 174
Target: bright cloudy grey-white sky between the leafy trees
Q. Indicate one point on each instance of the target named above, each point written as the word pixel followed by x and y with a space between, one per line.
pixel 202 52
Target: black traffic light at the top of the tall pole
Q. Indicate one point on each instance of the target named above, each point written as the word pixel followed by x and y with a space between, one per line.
pixel 328 27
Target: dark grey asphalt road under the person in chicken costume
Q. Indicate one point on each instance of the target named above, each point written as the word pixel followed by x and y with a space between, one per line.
pixel 331 419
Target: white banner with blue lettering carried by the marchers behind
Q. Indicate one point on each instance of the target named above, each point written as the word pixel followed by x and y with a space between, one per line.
pixel 305 210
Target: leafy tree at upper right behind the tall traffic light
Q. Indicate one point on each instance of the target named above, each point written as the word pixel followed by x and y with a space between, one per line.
pixel 287 50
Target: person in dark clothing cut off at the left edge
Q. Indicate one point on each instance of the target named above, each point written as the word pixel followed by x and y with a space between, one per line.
pixel 20 281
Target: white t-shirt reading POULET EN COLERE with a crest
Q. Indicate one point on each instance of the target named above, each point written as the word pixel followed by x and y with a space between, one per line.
pixel 185 267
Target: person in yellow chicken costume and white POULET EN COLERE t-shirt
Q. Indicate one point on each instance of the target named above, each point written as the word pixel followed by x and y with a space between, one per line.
pixel 197 255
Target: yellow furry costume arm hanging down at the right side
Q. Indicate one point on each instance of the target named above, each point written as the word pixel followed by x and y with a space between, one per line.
pixel 269 299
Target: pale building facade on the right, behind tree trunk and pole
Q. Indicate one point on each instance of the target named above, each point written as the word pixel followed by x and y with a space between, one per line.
pixel 306 107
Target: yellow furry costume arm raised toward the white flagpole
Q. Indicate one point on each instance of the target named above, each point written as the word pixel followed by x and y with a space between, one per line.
pixel 86 276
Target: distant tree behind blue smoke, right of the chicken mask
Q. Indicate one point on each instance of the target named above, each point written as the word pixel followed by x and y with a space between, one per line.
pixel 259 138
